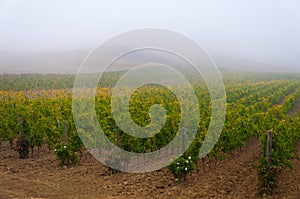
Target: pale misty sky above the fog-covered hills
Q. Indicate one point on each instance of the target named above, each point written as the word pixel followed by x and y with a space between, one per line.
pixel 265 31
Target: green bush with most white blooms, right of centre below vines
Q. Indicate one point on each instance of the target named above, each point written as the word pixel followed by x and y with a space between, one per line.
pixel 181 167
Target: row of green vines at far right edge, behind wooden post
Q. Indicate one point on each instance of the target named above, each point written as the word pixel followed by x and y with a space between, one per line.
pixel 285 135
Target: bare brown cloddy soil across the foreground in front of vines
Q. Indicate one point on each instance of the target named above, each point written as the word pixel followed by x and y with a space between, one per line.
pixel 233 177
